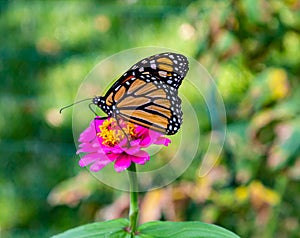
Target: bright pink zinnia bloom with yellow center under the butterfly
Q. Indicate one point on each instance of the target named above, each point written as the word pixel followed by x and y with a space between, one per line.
pixel 104 142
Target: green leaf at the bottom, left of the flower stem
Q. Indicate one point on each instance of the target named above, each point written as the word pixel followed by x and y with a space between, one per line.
pixel 111 229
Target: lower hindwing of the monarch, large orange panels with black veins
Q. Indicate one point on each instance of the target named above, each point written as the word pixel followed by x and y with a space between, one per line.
pixel 150 103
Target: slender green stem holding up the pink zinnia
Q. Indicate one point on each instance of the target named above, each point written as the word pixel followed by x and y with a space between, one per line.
pixel 134 206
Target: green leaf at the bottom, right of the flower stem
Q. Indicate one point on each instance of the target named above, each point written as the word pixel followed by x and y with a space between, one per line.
pixel 191 229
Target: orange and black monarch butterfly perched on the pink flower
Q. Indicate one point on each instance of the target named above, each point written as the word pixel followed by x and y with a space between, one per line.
pixel 147 94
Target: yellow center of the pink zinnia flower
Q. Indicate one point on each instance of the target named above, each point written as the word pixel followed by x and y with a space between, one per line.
pixel 112 134
